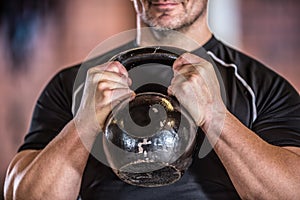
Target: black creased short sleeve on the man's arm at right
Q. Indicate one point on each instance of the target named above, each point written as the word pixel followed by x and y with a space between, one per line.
pixel 278 107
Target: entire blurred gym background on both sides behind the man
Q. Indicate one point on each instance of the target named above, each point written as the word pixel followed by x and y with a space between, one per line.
pixel 40 37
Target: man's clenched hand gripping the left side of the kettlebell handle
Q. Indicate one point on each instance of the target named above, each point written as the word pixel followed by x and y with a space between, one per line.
pixel 106 85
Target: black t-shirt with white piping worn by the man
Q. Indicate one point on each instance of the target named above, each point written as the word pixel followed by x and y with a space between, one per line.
pixel 261 99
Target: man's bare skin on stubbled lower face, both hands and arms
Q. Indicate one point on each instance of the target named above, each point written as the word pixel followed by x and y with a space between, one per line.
pixel 257 169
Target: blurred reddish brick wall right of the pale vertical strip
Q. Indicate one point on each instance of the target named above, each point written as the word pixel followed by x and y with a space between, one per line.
pixel 270 32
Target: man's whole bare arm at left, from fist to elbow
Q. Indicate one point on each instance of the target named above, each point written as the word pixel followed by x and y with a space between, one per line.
pixel 56 171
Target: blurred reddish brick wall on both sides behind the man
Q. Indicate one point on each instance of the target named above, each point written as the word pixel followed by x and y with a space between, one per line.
pixel 270 32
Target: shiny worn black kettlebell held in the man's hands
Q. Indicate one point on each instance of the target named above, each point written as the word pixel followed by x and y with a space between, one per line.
pixel 149 141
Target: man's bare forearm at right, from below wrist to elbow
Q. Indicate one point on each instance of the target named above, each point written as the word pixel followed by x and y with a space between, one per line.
pixel 257 169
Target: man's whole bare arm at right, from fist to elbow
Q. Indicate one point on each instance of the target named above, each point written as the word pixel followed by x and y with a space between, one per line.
pixel 258 169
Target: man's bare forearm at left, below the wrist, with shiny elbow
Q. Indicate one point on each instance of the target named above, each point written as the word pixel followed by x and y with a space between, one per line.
pixel 55 173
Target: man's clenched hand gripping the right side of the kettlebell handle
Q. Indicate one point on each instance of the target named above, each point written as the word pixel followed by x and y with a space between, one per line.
pixel 196 86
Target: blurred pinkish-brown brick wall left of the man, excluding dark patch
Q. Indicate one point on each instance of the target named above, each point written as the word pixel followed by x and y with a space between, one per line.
pixel 61 40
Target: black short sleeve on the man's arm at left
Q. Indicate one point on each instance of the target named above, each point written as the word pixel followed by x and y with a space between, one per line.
pixel 52 111
